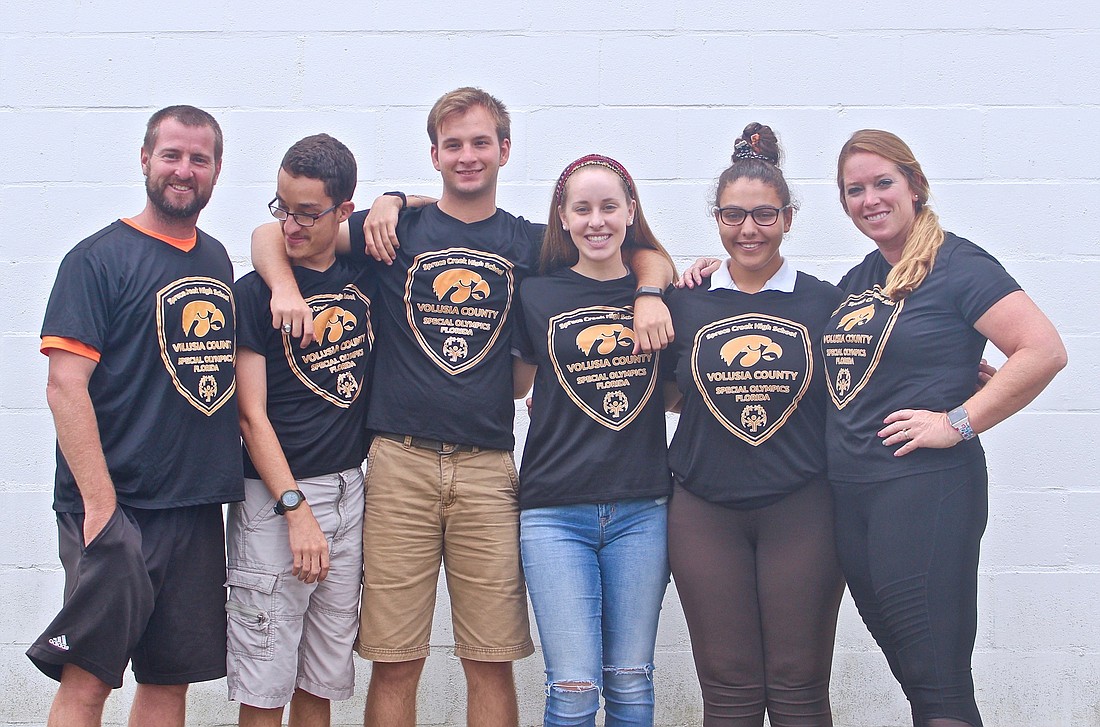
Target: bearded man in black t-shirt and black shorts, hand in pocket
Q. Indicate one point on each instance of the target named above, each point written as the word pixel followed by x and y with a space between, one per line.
pixel 140 334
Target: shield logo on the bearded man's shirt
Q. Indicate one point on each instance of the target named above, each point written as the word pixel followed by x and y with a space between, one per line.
pixel 195 327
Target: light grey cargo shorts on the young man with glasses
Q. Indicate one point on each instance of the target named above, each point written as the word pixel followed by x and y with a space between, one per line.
pixel 283 633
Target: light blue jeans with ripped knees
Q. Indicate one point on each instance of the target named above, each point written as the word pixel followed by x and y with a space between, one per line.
pixel 597 576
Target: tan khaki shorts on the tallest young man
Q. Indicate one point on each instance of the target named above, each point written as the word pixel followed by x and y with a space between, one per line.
pixel 460 509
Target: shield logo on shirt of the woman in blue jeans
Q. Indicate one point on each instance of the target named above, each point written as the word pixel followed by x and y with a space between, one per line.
pixel 591 351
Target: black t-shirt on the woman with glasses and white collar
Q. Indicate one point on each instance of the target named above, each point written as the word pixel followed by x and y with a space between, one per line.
pixel 753 424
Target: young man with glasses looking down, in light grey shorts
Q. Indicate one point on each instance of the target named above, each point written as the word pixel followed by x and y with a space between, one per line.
pixel 295 545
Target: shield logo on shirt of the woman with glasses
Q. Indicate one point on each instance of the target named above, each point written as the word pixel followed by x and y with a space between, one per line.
pixel 752 372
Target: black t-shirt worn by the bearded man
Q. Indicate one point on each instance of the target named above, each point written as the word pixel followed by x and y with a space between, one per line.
pixel 163 322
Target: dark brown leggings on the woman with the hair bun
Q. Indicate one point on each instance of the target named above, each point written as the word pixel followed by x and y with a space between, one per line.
pixel 761 591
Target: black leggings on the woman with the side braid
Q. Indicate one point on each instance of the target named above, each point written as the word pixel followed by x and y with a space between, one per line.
pixel 909 549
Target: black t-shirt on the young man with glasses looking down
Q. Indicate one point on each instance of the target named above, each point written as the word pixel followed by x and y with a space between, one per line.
pixel 316 396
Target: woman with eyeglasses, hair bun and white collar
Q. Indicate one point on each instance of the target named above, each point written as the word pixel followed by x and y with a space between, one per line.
pixel 751 521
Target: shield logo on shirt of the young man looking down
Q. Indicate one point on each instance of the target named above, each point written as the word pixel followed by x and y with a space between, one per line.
pixel 334 367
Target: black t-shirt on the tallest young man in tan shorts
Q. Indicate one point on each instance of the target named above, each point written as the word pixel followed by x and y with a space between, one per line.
pixel 444 318
